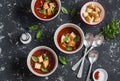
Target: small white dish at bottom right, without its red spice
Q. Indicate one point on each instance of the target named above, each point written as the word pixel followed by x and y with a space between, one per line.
pixel 103 74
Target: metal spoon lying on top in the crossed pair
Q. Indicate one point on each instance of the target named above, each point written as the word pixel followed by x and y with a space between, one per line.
pixel 87 42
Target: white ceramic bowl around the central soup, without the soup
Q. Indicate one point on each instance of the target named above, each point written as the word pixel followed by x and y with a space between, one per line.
pixel 65 26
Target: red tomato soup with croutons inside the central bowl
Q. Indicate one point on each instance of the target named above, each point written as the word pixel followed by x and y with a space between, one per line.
pixel 69 39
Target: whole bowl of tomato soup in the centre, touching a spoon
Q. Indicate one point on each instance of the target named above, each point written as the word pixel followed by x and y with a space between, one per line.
pixel 69 38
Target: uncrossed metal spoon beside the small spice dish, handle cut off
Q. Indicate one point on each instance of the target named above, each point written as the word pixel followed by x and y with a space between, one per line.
pixel 92 56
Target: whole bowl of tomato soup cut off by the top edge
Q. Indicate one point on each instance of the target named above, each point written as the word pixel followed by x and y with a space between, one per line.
pixel 45 9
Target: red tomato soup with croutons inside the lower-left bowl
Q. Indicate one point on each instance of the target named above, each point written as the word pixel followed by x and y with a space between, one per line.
pixel 43 57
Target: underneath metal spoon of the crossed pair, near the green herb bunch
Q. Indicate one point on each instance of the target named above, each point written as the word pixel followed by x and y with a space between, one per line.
pixel 98 40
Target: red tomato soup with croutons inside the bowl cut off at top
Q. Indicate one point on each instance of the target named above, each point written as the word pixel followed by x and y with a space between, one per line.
pixel 46 9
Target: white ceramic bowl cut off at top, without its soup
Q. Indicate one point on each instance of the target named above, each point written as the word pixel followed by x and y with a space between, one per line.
pixel 32 8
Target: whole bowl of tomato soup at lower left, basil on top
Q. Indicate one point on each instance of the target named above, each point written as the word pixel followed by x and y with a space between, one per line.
pixel 42 61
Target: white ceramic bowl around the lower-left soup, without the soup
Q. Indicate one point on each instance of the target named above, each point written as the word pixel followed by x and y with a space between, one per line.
pixel 29 58
